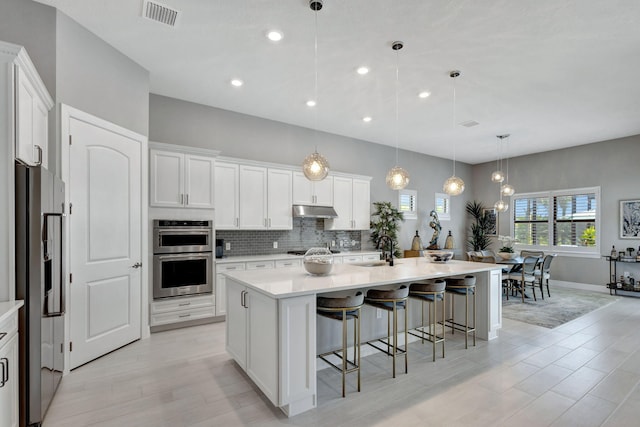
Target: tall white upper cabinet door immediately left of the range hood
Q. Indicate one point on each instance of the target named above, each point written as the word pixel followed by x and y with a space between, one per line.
pixel 279 199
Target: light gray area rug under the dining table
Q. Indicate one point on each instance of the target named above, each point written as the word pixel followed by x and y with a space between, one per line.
pixel 564 305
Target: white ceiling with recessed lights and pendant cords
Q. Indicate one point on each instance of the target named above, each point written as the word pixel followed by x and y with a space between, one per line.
pixel 552 73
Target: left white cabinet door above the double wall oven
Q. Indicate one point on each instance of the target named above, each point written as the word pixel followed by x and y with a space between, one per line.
pixel 167 179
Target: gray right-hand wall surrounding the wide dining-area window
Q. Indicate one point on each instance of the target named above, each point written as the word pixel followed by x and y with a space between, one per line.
pixel 613 165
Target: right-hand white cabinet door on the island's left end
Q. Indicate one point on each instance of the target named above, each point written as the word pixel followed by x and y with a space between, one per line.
pixel 262 347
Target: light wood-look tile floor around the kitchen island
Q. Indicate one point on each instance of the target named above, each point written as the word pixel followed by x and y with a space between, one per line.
pixel 583 373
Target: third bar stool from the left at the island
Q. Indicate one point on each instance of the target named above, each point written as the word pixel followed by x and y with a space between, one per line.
pixel 430 291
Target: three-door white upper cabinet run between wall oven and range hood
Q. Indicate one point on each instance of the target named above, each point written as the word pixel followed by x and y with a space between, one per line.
pixel 250 197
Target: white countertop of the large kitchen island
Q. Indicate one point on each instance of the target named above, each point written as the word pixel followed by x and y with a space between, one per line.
pixel 295 281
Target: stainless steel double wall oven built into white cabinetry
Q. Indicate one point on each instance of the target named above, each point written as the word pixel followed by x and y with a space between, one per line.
pixel 182 260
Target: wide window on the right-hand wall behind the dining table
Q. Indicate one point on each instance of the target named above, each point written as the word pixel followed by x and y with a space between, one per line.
pixel 565 221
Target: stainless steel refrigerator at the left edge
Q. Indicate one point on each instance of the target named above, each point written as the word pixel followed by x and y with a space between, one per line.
pixel 39 282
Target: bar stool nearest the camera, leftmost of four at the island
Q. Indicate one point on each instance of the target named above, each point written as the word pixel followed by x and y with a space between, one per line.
pixel 343 309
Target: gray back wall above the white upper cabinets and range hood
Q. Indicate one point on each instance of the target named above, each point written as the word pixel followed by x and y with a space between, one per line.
pixel 237 135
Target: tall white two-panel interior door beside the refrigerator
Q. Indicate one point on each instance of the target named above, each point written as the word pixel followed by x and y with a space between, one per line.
pixel 104 189
